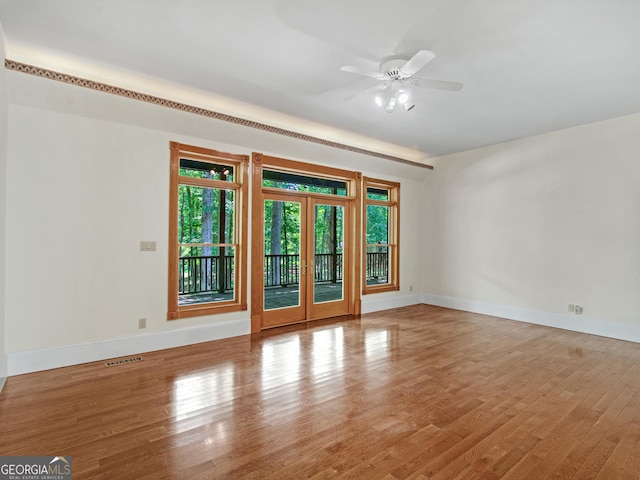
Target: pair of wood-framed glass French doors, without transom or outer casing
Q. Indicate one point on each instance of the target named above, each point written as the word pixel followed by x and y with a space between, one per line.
pixel 306 247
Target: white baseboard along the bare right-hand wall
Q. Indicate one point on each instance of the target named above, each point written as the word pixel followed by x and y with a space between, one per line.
pixel 565 321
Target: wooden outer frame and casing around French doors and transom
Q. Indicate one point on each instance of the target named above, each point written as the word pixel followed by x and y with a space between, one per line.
pixel 353 203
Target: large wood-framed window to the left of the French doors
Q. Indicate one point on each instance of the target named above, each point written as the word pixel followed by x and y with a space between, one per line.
pixel 207 232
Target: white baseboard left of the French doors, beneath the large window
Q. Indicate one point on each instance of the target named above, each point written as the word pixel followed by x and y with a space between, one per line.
pixel 55 357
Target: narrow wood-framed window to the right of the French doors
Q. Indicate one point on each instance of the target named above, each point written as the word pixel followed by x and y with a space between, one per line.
pixel 381 240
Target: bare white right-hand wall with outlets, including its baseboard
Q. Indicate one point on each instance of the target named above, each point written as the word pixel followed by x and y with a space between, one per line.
pixel 522 229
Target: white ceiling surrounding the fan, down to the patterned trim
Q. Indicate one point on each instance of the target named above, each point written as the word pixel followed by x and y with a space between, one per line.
pixel 528 66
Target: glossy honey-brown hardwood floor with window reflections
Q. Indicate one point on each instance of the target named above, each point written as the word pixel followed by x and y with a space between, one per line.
pixel 412 393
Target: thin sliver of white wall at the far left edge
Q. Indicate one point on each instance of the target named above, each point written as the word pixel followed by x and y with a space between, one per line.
pixel 3 209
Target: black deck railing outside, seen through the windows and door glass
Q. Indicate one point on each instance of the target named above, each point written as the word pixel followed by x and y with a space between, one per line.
pixel 209 274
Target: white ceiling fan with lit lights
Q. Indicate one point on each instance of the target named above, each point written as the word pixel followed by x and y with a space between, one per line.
pixel 397 77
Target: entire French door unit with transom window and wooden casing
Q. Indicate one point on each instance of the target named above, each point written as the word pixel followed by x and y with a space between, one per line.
pixel 305 242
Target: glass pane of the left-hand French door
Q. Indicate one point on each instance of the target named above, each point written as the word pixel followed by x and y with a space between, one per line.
pixel 282 262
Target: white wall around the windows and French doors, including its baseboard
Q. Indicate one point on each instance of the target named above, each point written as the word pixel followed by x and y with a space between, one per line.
pixel 88 178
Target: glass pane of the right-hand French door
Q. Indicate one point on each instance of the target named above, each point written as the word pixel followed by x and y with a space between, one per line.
pixel 328 258
